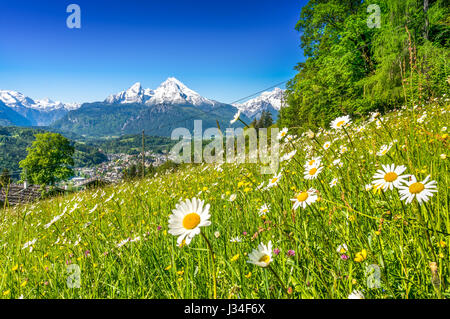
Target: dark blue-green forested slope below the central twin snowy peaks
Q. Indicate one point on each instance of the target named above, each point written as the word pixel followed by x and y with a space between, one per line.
pixel 105 119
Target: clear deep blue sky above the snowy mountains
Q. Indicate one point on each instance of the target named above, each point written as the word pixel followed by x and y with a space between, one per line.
pixel 224 50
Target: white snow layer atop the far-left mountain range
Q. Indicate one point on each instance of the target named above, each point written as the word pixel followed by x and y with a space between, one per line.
pixel 15 99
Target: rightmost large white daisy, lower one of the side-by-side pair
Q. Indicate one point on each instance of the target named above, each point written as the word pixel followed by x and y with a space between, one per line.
pixel 420 190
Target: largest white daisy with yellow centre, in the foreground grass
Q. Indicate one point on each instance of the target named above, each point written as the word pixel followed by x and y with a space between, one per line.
pixel 187 218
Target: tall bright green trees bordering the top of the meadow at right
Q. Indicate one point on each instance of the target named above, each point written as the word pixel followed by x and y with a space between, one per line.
pixel 353 69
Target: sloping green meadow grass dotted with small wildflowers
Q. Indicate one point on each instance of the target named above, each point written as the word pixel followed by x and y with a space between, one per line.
pixel 155 267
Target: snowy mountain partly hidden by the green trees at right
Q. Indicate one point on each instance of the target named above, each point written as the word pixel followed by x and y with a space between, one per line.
pixel 268 101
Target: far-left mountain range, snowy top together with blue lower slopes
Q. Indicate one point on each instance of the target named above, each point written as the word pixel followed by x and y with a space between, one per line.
pixel 37 112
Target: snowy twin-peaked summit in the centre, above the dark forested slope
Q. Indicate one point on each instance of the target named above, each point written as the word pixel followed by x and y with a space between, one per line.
pixel 171 92
